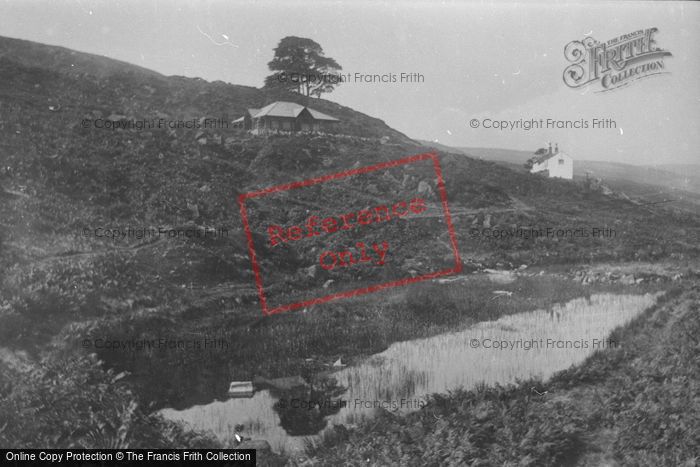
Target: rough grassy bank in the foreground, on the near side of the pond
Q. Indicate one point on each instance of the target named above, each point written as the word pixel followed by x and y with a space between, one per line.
pixel 632 405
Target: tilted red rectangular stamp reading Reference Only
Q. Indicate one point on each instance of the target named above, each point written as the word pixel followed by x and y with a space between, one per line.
pixel 349 233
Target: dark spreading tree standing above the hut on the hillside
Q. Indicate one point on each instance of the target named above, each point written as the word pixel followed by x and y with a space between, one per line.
pixel 299 65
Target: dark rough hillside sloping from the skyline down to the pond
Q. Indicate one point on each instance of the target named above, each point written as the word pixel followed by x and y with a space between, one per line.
pixel 62 285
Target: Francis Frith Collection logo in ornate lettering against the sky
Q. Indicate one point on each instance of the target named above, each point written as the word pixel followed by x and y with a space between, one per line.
pixel 616 63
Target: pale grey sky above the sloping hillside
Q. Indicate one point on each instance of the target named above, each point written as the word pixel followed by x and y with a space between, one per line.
pixel 479 61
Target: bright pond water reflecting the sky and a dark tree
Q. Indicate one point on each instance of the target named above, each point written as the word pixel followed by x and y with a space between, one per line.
pixel 531 344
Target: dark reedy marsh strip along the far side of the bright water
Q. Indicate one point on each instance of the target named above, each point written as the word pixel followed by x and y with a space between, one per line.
pixel 297 342
